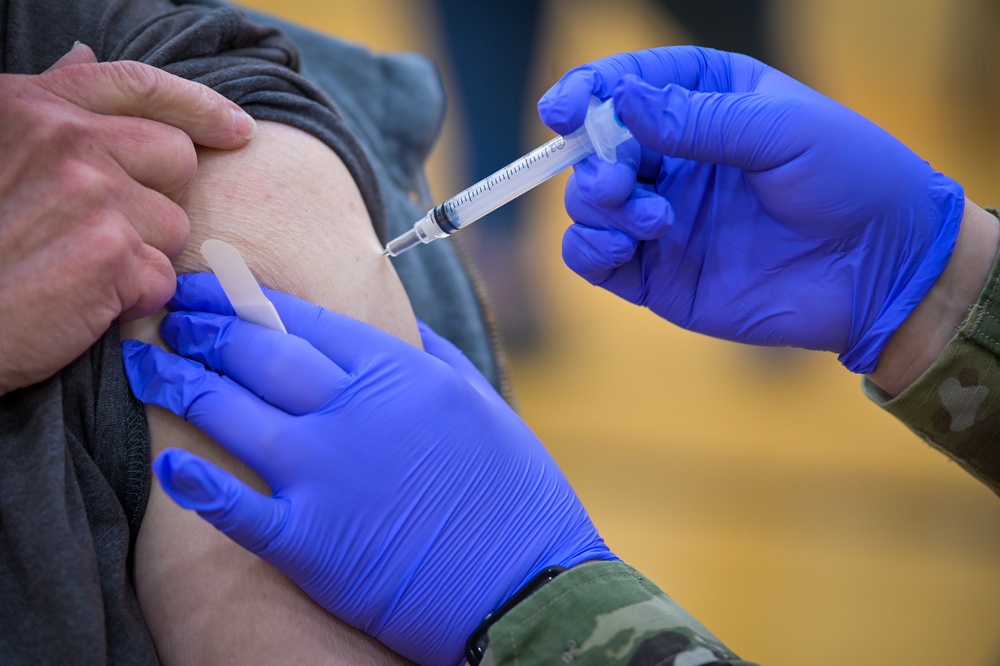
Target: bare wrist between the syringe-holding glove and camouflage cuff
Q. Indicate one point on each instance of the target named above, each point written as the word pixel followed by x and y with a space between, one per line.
pixel 923 335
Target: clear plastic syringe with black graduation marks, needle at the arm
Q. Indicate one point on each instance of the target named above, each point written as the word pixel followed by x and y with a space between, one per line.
pixel 601 133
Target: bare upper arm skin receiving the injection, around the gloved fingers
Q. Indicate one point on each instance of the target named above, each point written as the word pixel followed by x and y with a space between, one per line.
pixel 289 205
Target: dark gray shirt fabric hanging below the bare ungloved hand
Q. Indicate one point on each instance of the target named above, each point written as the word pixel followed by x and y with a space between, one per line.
pixel 74 461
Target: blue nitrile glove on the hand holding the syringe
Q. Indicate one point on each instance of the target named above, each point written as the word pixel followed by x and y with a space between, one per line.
pixel 757 209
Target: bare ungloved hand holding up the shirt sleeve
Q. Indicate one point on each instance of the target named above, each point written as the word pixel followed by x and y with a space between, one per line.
pixel 95 157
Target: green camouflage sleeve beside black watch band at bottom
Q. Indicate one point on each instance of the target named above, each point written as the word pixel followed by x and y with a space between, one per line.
pixel 603 613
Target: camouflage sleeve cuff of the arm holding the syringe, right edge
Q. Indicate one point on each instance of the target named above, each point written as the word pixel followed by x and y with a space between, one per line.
pixel 955 404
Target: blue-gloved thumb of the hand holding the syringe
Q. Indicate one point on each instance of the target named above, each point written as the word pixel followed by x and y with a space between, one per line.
pixel 729 129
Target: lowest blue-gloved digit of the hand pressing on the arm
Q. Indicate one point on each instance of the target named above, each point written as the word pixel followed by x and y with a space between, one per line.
pixel 250 519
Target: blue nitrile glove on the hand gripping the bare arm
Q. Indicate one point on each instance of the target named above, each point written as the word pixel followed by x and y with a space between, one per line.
pixel 409 499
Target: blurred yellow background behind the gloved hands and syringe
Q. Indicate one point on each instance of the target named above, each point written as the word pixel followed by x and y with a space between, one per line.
pixel 761 490
